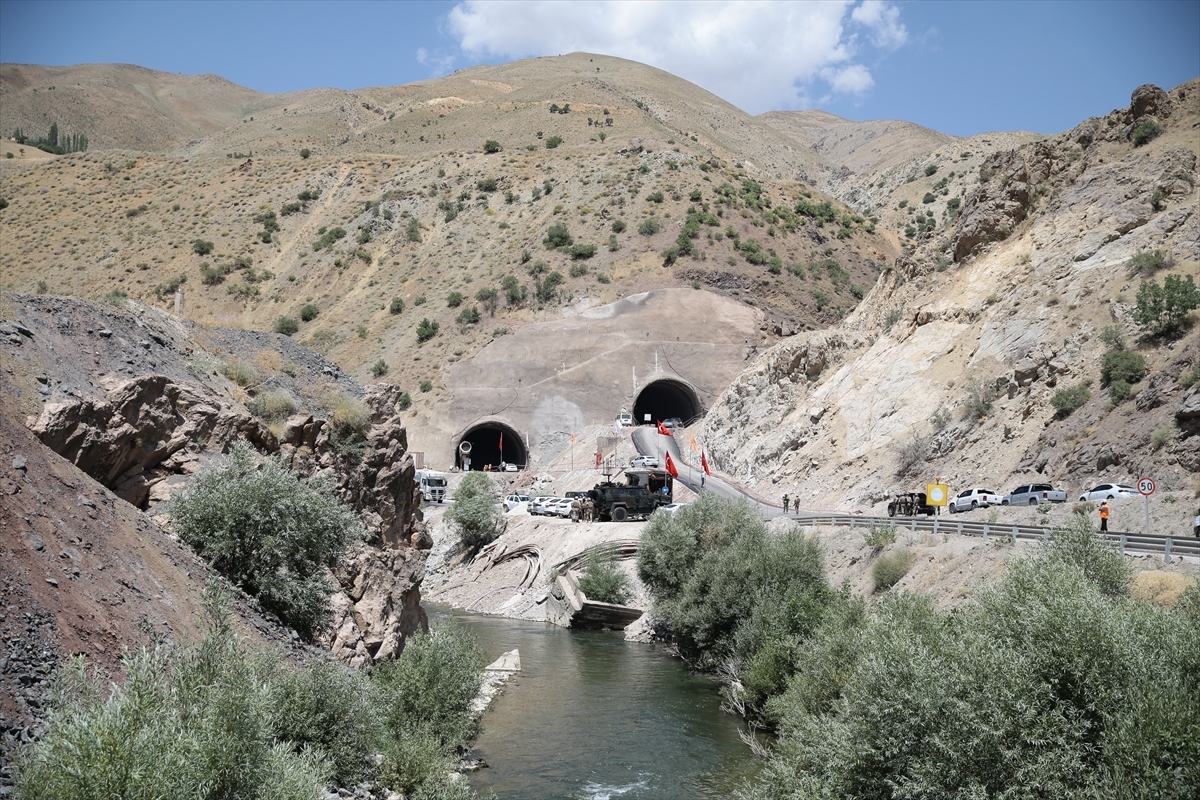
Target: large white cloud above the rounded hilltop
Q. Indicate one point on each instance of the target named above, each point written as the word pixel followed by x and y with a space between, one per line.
pixel 755 55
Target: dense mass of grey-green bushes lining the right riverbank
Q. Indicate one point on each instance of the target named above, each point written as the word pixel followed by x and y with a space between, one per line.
pixel 1053 683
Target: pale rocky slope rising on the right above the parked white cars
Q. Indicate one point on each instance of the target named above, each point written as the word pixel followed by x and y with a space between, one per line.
pixel 955 363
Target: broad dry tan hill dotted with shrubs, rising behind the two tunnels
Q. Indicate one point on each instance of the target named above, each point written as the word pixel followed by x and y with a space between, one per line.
pixel 398 214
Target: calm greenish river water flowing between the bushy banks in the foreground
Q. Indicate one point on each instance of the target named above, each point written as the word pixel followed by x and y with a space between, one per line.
pixel 595 718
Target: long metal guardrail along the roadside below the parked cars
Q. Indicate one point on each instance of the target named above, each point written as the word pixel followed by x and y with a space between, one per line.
pixel 1126 543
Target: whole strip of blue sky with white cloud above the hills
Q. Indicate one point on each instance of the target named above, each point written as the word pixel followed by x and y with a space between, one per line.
pixel 959 68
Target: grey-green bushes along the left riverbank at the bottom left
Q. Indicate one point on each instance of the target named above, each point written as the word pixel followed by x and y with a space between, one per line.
pixel 219 719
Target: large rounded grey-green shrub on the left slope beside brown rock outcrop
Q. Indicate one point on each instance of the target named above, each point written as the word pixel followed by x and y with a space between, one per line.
pixel 269 532
